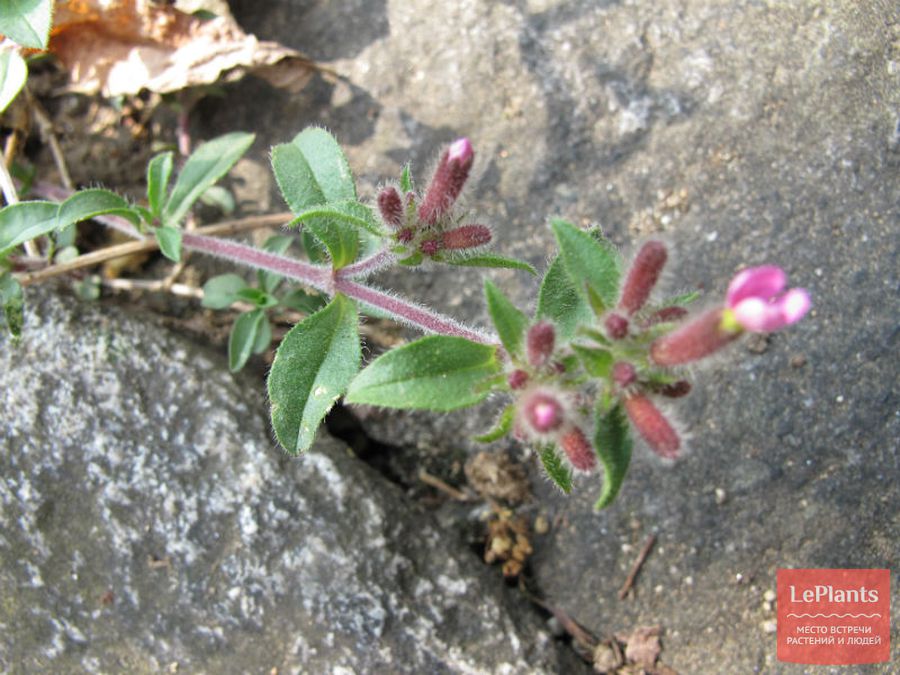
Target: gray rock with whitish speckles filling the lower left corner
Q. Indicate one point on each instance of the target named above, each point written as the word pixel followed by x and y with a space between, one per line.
pixel 148 522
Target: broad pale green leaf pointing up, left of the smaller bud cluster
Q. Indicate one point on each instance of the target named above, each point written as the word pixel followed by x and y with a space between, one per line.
pixel 311 170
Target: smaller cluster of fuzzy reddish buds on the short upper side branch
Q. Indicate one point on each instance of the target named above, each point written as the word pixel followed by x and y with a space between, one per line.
pixel 425 226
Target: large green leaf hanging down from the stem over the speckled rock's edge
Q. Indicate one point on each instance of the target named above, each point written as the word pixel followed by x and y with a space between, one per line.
pixel 313 366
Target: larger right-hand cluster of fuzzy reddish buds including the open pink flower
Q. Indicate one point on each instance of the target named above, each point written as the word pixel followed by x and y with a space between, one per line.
pixel 644 345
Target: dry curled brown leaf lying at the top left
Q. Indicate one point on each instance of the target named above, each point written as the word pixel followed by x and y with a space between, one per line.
pixel 118 47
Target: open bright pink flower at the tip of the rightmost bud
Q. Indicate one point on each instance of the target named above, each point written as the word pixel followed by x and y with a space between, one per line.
pixel 758 303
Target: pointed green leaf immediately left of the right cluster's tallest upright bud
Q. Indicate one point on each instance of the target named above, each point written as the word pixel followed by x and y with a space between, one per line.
pixel 588 260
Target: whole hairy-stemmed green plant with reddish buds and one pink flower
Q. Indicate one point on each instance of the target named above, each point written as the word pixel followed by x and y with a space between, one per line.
pixel 588 365
